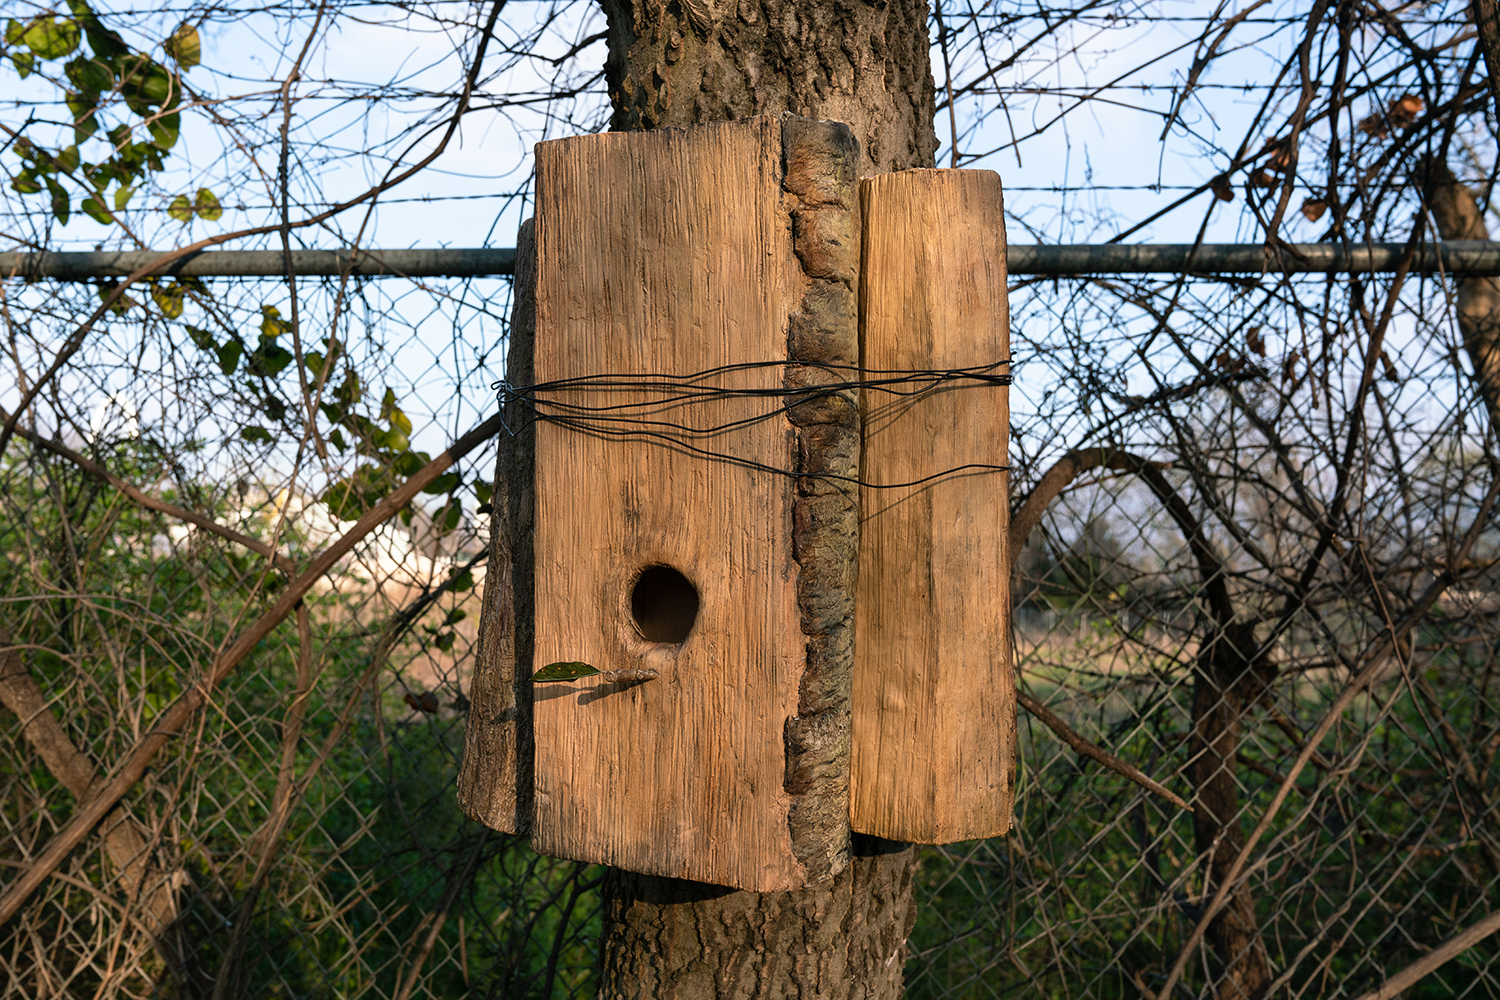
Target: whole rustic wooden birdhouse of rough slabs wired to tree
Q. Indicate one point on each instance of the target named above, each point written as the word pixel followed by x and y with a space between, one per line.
pixel 671 654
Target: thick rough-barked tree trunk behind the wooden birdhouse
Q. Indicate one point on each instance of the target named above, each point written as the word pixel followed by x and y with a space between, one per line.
pixel 688 62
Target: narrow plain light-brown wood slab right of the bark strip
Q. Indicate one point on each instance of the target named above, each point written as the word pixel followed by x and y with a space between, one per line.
pixel 934 690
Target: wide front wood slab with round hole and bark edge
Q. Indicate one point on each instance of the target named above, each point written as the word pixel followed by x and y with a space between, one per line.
pixel 674 253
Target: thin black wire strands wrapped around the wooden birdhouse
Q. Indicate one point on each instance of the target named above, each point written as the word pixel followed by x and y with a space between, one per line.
pixel 631 419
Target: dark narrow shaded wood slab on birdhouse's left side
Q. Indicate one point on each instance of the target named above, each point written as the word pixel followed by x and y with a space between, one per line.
pixel 496 777
